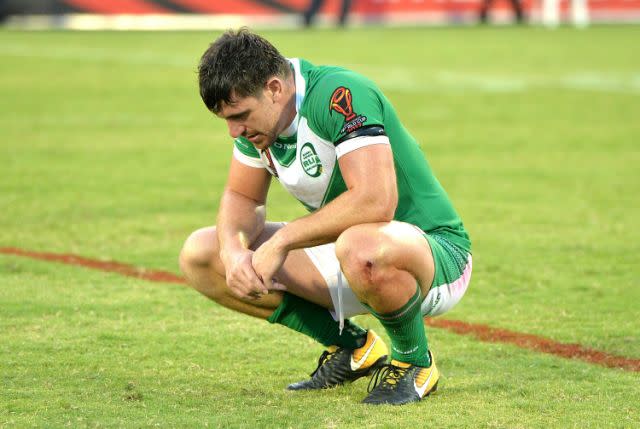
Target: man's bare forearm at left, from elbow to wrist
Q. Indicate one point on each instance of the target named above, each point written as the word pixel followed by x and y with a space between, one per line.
pixel 240 222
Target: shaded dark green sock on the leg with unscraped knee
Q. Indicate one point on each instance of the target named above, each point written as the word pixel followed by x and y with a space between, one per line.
pixel 316 322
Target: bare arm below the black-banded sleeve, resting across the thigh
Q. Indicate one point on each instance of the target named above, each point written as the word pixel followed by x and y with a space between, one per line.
pixel 371 196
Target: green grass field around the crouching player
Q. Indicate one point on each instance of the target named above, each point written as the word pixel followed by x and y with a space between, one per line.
pixel 107 152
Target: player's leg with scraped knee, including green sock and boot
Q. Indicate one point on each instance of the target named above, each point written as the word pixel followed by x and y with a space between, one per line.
pixel 390 268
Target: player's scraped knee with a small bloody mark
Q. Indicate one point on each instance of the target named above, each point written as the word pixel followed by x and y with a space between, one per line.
pixel 363 254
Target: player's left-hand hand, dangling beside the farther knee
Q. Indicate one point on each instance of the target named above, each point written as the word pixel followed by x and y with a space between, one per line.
pixel 242 279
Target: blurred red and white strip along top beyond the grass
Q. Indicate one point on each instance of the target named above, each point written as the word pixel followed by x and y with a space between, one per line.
pixel 209 14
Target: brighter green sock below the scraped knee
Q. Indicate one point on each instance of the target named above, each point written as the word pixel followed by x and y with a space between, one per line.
pixel 405 328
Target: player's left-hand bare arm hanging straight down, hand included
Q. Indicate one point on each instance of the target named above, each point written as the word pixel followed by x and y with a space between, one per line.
pixel 241 219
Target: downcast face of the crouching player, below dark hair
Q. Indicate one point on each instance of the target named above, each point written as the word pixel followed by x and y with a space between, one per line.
pixel 255 118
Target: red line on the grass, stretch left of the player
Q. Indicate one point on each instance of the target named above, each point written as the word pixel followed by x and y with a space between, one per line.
pixel 109 266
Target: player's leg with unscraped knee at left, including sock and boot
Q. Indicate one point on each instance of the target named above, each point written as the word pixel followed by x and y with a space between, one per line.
pixel 304 308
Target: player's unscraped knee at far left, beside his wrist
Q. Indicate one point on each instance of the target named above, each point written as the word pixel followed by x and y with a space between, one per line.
pixel 201 252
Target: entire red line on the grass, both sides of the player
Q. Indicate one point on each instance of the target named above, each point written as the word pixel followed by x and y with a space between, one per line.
pixel 481 332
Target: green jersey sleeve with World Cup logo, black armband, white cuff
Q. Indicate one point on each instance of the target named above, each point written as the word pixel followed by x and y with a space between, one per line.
pixel 350 112
